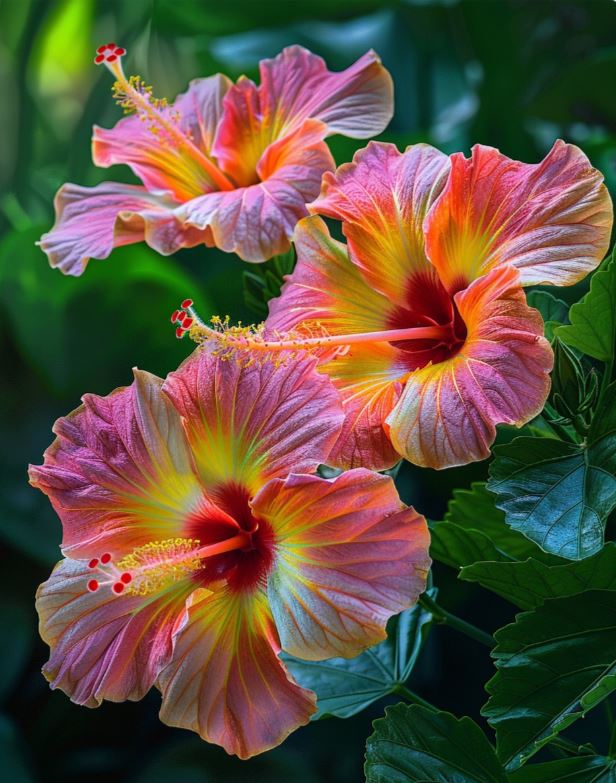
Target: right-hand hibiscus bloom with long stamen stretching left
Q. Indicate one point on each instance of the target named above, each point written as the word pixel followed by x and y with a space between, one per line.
pixel 422 315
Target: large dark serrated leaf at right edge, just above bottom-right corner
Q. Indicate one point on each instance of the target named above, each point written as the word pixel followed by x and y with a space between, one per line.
pixel 554 664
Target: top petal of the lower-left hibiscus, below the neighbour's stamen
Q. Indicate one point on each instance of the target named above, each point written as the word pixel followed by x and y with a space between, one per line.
pixel 246 424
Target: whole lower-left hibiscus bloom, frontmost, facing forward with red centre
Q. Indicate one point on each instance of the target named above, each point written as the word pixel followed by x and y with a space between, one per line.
pixel 198 543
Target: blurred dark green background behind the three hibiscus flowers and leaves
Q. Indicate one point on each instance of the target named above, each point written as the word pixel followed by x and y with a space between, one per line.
pixel 515 75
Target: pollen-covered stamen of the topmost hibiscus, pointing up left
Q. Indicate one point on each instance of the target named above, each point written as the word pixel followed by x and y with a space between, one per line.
pixel 133 94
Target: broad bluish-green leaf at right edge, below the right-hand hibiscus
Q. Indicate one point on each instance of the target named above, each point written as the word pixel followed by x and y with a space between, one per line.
pixel 559 494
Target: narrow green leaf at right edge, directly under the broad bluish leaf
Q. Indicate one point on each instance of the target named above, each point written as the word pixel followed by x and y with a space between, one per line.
pixel 529 583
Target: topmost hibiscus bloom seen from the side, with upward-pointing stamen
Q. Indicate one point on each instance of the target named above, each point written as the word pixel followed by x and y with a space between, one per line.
pixel 230 165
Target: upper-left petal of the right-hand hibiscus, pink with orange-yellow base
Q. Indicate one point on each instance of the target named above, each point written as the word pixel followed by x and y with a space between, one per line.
pixel 382 198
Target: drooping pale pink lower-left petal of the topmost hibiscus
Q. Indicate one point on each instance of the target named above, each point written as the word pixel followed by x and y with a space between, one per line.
pixel 90 222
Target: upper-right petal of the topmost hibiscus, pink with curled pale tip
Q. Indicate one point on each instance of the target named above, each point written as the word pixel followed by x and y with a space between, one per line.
pixel 296 86
